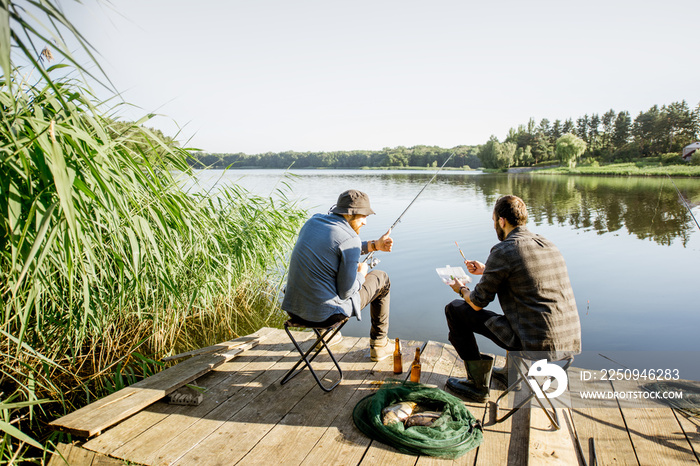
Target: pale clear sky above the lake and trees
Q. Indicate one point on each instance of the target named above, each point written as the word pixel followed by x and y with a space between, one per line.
pixel 272 75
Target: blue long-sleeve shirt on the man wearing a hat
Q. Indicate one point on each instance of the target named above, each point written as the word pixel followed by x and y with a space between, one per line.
pixel 323 278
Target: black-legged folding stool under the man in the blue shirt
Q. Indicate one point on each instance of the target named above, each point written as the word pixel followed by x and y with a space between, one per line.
pixel 322 330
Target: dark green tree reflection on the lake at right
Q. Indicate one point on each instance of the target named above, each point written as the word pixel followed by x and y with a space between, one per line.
pixel 646 208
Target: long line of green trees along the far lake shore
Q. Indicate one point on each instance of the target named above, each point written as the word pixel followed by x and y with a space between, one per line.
pixel 612 136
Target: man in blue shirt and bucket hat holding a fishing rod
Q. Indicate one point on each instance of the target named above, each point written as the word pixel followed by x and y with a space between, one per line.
pixel 327 282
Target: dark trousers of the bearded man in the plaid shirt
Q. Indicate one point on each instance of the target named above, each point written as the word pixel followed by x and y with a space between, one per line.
pixel 463 322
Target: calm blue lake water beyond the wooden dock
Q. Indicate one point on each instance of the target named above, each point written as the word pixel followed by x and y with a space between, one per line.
pixel 631 247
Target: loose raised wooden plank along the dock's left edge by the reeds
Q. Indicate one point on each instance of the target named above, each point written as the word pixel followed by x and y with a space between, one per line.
pixel 94 418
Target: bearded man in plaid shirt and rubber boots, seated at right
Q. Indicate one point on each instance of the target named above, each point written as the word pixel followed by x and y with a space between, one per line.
pixel 528 274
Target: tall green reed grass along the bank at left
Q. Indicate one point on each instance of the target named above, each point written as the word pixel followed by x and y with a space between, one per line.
pixel 107 263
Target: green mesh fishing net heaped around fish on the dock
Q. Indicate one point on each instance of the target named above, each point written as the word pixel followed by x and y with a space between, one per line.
pixel 453 434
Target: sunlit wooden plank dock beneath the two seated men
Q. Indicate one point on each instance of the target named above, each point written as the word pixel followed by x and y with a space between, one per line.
pixel 247 417
